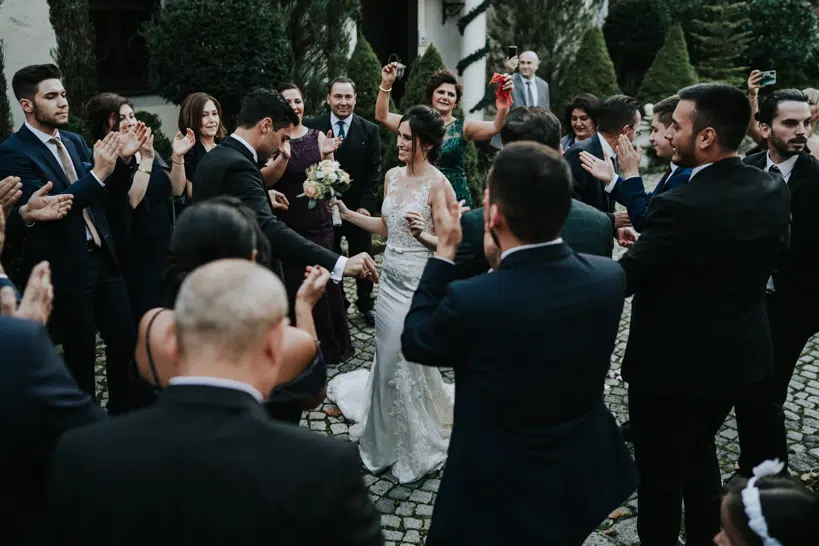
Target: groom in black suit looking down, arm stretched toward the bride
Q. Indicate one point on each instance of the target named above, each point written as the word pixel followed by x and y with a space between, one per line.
pixel 232 168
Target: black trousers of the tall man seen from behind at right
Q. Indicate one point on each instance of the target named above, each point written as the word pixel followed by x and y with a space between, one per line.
pixel 676 458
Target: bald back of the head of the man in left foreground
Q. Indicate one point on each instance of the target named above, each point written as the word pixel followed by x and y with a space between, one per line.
pixel 227 308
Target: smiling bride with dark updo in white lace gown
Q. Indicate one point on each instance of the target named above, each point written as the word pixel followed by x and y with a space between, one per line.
pixel 403 411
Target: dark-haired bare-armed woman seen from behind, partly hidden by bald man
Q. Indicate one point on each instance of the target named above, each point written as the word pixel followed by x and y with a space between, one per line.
pixel 219 229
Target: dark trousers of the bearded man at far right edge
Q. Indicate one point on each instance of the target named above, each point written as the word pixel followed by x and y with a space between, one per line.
pixel 761 416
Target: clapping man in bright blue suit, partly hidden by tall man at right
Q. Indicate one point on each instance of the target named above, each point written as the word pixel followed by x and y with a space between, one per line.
pixel 629 190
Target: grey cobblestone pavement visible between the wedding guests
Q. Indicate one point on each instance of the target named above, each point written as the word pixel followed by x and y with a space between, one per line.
pixel 406 509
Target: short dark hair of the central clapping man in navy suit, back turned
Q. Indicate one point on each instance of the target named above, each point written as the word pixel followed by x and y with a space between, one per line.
pixel 532 186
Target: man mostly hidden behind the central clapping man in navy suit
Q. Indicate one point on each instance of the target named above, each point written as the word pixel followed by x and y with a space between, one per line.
pixel 586 229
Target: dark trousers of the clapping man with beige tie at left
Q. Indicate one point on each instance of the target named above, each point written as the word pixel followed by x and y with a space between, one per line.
pixel 104 305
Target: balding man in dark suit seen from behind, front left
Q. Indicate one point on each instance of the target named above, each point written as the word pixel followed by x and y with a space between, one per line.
pixel 204 464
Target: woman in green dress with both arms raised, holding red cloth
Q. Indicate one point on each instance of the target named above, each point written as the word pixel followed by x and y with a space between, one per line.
pixel 443 94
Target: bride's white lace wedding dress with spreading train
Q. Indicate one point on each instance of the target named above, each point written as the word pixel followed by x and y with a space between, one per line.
pixel 402 410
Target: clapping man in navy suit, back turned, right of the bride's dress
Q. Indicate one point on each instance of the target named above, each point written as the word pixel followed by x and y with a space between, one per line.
pixel 532 339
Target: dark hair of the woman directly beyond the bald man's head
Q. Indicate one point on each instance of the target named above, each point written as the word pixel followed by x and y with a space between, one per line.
pixel 216 229
